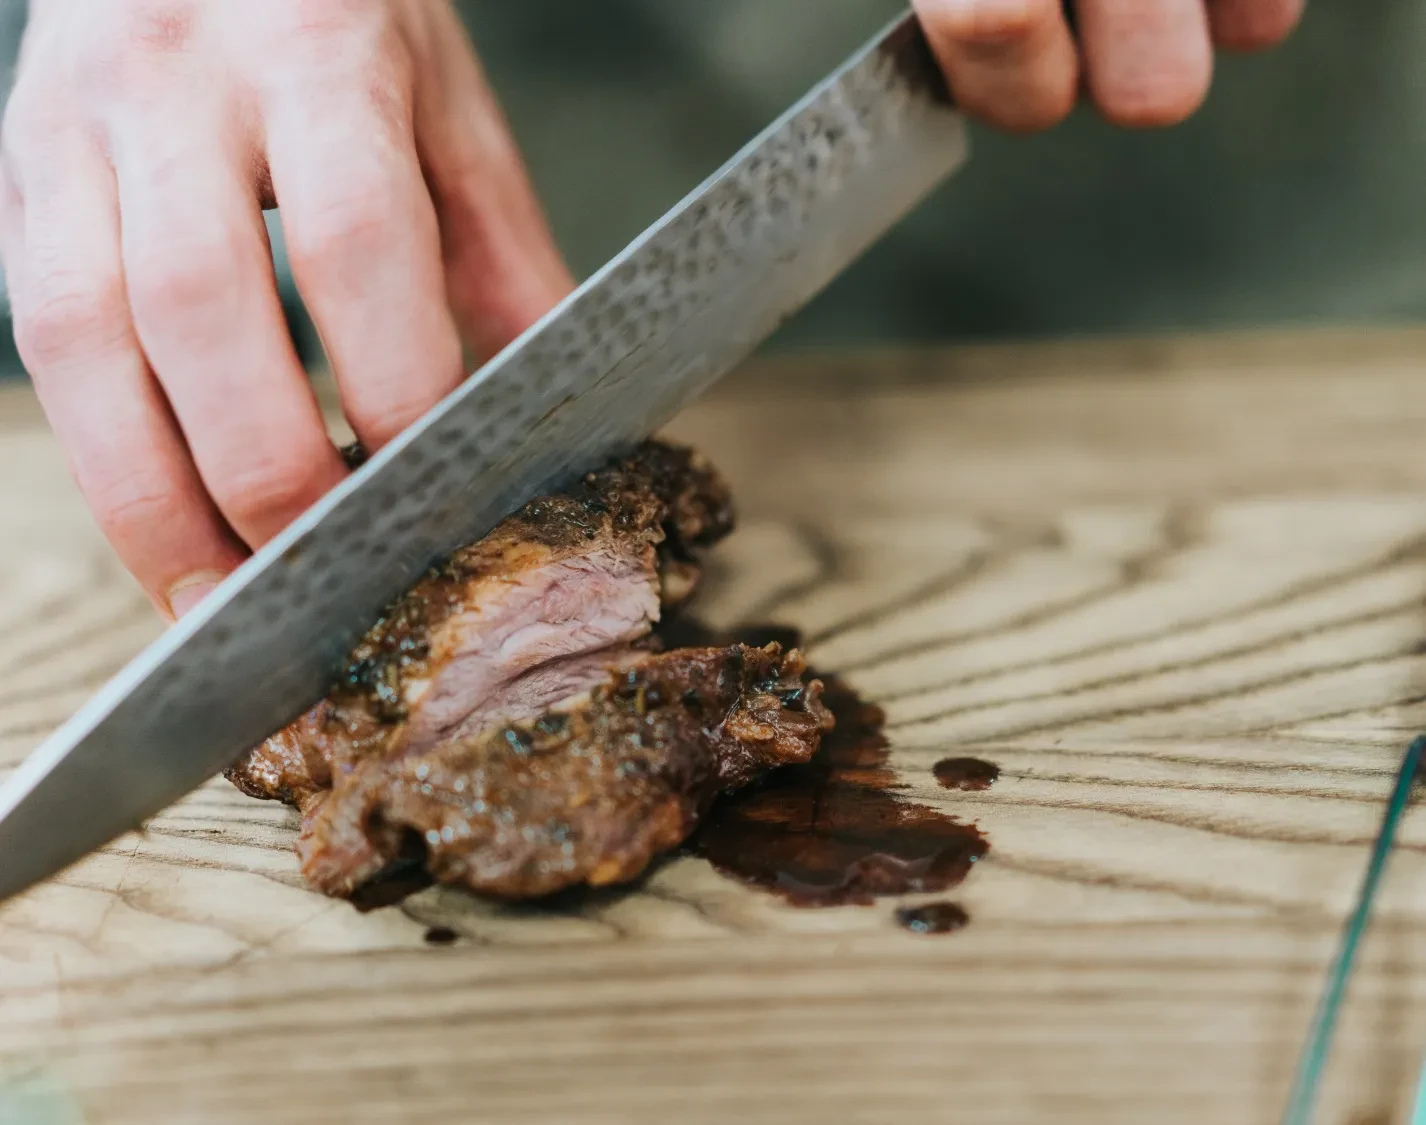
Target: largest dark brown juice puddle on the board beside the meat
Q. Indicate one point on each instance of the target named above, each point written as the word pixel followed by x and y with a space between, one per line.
pixel 833 831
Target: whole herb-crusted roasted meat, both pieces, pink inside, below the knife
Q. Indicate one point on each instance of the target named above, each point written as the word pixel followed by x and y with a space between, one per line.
pixel 510 716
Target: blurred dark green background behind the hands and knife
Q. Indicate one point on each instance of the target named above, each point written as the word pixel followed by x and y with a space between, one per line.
pixel 1294 197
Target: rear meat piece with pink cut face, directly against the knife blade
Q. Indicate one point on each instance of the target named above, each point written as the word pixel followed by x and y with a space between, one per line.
pixel 507 627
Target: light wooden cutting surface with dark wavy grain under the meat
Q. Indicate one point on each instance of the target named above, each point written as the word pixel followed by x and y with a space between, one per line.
pixel 1176 590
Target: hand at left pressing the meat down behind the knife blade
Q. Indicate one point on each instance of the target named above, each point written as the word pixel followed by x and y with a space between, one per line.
pixel 142 142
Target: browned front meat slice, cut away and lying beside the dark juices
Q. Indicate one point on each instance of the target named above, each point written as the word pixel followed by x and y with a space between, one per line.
pixel 587 793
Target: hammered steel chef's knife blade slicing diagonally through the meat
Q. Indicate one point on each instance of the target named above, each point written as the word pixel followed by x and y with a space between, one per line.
pixel 637 343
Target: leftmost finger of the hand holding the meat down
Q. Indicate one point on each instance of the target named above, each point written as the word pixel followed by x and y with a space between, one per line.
pixel 76 336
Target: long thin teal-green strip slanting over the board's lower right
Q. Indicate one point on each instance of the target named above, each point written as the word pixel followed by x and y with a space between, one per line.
pixel 1313 1063
